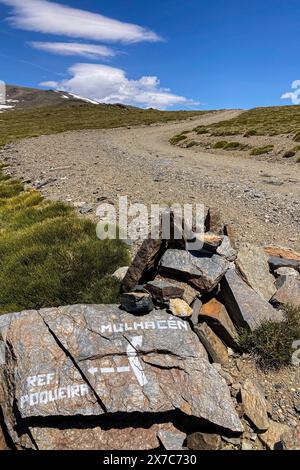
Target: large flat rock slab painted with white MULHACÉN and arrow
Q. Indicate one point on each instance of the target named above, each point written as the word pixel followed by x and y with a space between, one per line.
pixel 73 364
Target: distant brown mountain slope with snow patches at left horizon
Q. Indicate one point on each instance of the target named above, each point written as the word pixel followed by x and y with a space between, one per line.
pixel 27 98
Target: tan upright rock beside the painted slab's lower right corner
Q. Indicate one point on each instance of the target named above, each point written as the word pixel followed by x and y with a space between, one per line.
pixel 255 406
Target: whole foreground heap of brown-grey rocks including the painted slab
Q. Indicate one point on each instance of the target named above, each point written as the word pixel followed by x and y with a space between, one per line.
pixel 164 369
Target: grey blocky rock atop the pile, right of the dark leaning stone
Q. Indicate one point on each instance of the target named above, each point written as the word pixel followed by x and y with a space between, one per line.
pixel 202 271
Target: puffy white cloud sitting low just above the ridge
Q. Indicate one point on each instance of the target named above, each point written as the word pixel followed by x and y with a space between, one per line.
pixel 110 85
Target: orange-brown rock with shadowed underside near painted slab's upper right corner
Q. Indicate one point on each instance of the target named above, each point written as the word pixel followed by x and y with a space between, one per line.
pixel 216 316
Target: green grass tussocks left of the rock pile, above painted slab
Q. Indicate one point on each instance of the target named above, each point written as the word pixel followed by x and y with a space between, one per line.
pixel 49 256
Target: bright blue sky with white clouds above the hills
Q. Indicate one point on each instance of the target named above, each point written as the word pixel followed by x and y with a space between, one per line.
pixel 164 53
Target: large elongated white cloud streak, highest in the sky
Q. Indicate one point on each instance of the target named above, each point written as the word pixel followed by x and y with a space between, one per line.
pixel 48 17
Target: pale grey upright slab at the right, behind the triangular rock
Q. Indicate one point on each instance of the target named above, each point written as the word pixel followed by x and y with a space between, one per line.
pixel 252 262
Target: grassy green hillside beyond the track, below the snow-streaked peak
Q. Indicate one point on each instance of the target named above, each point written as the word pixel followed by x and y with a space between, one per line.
pixel 20 124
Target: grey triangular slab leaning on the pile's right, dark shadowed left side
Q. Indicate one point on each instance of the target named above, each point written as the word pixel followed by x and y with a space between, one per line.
pixel 246 308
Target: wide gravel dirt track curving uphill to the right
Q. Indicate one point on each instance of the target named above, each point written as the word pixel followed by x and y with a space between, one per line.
pixel 260 198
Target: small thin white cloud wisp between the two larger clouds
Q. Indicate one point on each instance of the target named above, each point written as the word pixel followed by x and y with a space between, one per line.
pixel 91 51
